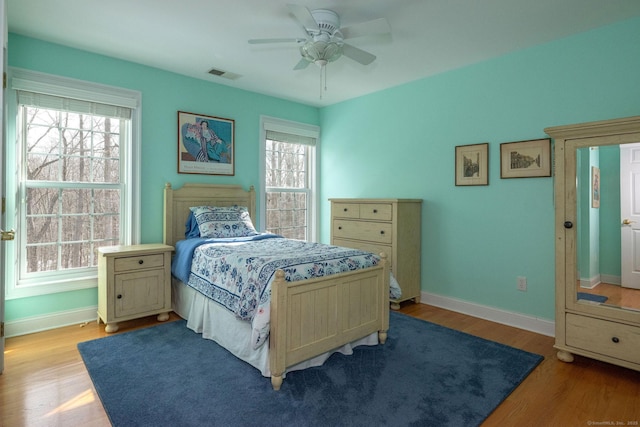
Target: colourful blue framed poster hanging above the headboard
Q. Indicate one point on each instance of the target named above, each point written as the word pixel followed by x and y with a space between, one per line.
pixel 205 144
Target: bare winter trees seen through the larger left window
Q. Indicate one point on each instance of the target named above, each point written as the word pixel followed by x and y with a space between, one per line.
pixel 72 188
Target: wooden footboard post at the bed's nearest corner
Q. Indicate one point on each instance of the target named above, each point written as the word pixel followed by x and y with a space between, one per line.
pixel 278 332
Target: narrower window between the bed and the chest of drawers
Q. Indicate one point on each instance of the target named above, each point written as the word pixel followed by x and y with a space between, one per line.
pixel 289 179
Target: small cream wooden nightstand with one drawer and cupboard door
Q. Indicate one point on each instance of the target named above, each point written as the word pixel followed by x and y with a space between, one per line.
pixel 133 281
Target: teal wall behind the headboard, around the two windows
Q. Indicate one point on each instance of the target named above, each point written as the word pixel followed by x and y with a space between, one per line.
pixel 163 94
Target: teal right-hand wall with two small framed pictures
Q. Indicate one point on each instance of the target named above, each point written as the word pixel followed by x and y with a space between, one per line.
pixel 400 143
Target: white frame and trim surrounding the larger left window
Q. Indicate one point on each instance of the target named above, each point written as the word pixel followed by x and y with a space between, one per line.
pixel 130 163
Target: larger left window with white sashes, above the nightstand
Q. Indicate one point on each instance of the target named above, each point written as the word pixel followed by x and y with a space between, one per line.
pixel 75 183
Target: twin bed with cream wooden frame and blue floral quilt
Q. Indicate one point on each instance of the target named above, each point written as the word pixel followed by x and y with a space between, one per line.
pixel 277 315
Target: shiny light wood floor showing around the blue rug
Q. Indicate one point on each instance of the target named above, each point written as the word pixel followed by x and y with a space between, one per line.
pixel 45 382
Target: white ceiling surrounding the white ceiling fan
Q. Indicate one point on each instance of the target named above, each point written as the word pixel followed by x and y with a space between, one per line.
pixel 192 36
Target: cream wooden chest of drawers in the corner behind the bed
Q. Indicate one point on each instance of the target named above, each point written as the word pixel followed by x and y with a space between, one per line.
pixel 391 226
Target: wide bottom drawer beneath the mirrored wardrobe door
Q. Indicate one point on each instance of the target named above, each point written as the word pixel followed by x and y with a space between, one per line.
pixel 604 337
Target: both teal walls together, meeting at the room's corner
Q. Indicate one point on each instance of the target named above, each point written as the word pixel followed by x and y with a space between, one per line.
pixel 399 143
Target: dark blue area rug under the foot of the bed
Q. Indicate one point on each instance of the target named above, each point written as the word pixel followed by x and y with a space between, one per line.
pixel 425 375
